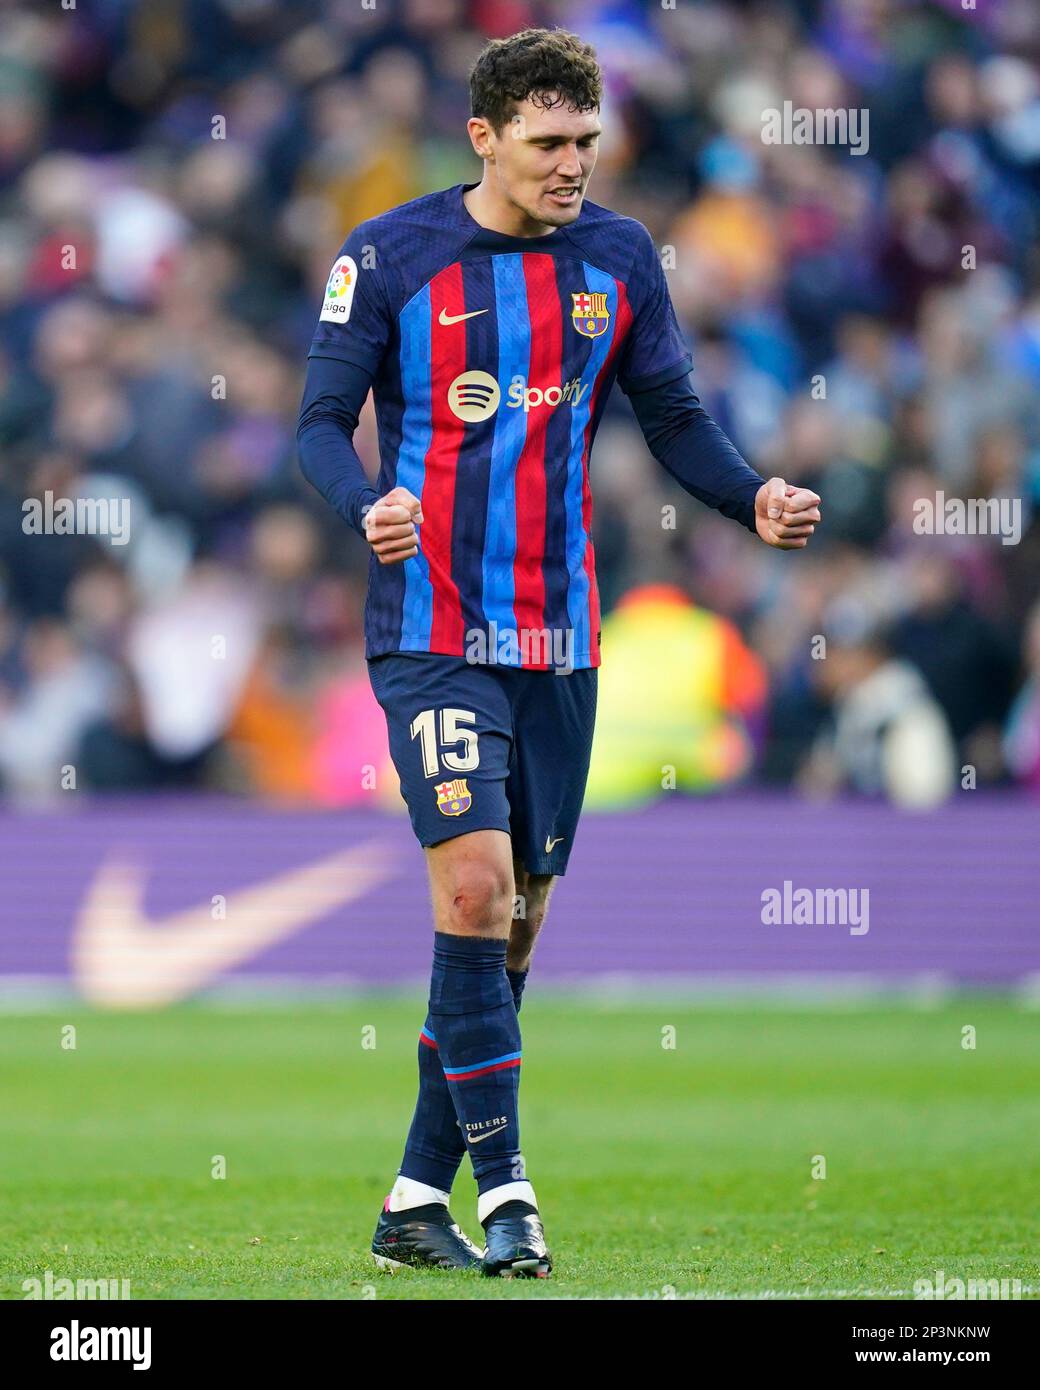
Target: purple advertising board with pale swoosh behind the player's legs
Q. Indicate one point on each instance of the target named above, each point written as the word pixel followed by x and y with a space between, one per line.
pixel 141 903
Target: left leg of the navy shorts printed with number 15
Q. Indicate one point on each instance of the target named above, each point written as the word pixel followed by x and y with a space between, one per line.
pixel 450 729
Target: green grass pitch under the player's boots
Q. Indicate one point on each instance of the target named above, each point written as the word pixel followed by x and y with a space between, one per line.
pixel 663 1172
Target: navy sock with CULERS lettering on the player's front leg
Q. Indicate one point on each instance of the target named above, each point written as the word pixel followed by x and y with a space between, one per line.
pixel 479 1039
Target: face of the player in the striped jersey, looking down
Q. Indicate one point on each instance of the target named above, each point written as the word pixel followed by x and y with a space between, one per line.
pixel 544 162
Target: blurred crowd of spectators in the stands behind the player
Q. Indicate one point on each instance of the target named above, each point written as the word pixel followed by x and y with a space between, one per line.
pixel 176 180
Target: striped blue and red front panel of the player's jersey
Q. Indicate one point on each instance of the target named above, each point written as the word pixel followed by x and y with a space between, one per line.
pixel 507 532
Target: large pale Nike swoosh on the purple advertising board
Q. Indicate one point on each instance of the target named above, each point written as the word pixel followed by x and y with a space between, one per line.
pixel 123 960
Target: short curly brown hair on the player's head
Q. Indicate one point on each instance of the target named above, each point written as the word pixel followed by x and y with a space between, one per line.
pixel 549 66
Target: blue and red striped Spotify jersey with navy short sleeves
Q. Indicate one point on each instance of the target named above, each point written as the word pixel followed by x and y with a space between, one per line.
pixel 491 359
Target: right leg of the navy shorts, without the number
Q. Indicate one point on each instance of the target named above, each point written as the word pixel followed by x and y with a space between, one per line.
pixel 554 721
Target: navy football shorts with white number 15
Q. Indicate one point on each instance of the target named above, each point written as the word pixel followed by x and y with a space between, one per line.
pixel 490 749
